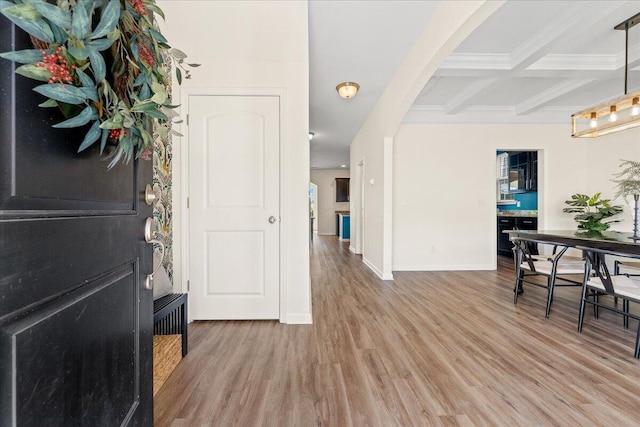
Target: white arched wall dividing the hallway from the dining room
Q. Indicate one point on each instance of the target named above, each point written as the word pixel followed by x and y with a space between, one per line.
pixel 448 27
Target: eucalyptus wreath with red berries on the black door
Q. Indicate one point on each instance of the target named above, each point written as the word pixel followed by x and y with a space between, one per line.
pixel 104 64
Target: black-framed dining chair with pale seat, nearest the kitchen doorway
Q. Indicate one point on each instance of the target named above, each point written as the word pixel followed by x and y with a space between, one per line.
pixel 558 269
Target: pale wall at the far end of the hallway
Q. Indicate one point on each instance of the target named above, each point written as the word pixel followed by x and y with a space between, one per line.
pixel 325 179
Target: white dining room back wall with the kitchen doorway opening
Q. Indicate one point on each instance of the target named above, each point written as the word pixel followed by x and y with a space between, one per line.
pixel 444 186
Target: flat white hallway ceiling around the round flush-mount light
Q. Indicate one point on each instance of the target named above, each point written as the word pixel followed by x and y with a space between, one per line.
pixel 358 41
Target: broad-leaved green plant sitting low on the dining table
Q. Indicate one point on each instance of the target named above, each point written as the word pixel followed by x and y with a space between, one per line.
pixel 592 211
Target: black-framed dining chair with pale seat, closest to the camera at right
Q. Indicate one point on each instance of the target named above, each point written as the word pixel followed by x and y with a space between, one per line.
pixel 598 281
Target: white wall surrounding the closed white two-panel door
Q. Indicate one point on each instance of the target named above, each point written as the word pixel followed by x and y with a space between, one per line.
pixel 263 46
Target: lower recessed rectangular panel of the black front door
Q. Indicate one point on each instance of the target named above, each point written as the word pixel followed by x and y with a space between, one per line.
pixel 65 346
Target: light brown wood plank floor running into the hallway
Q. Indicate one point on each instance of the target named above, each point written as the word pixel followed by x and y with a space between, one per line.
pixel 430 348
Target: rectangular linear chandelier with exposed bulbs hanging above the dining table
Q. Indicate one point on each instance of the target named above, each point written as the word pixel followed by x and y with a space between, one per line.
pixel 616 115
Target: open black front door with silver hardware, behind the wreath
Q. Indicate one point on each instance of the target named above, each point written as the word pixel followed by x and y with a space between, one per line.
pixel 75 318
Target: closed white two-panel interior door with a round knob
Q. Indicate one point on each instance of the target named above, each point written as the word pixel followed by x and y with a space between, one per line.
pixel 234 201
